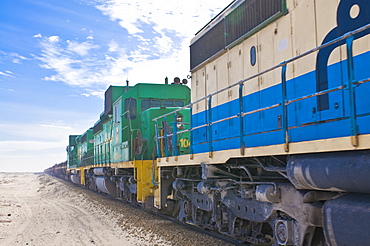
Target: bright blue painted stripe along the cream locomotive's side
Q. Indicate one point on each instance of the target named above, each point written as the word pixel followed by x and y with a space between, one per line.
pixel 306 123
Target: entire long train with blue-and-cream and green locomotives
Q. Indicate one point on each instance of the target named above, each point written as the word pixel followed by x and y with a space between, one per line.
pixel 272 144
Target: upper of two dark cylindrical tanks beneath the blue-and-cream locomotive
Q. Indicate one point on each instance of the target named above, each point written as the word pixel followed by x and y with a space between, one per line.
pixel 336 171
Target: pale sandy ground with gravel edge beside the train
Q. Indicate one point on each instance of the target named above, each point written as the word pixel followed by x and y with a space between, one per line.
pixel 36 209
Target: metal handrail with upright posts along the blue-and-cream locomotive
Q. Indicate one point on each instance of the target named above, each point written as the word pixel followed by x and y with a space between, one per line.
pixel 348 37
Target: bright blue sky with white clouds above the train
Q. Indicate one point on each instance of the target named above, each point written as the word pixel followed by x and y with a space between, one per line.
pixel 58 57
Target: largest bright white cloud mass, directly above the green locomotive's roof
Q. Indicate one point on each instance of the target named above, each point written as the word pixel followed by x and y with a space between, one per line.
pixel 158 45
